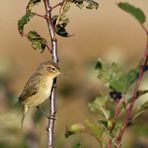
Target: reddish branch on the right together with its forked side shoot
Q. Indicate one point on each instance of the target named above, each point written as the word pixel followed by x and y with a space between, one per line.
pixel 119 136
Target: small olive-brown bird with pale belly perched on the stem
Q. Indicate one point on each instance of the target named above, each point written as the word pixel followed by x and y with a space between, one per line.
pixel 38 87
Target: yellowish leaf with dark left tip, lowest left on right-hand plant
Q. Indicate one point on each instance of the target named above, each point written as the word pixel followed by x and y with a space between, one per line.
pixel 73 129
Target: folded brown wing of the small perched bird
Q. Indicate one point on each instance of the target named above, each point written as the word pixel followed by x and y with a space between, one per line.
pixel 31 88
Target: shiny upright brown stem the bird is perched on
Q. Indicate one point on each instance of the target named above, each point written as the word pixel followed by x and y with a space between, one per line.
pixel 52 107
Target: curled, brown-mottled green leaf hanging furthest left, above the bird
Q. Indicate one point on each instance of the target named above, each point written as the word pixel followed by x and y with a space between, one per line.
pixel 23 21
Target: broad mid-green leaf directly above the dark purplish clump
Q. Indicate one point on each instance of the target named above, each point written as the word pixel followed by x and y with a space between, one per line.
pixel 125 80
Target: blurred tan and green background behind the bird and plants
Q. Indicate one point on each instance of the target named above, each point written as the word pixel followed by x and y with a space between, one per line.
pixel 107 33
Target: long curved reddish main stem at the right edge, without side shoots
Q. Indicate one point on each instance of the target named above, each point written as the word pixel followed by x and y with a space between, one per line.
pixel 134 97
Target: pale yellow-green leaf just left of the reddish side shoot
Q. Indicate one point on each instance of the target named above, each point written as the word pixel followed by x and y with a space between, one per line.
pixel 99 105
